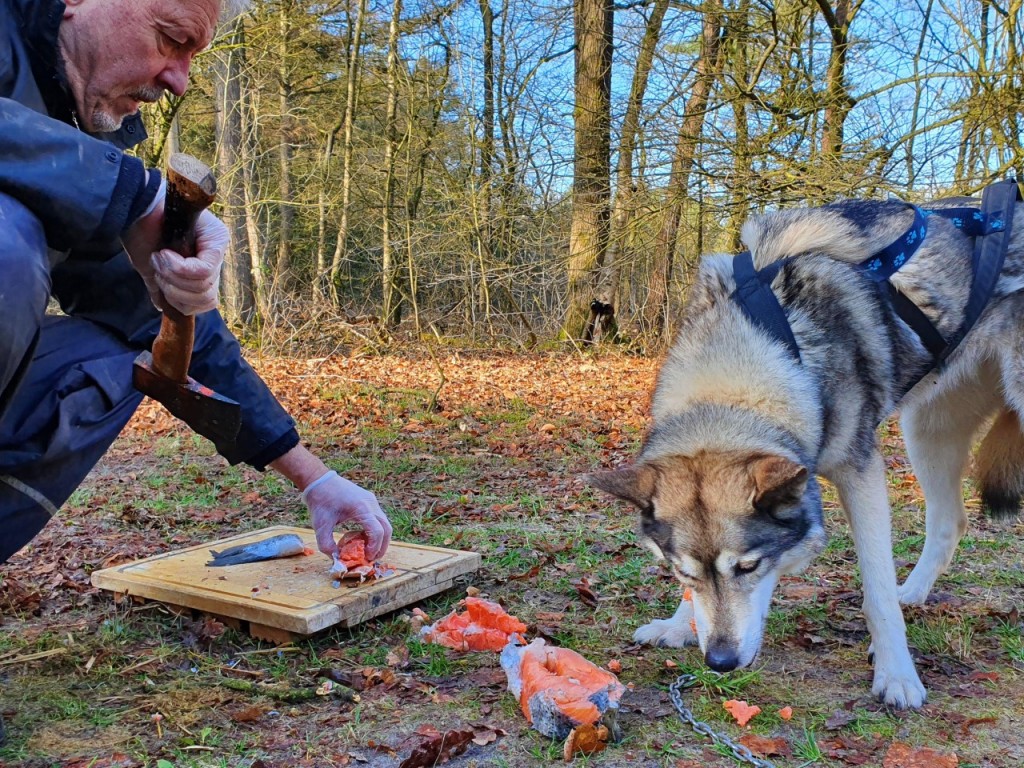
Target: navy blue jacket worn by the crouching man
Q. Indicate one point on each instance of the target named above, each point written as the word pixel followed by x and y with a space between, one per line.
pixel 87 192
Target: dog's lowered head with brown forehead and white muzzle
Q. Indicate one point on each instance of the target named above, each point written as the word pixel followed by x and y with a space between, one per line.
pixel 731 525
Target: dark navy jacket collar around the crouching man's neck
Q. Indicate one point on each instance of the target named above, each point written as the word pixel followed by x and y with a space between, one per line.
pixel 39 22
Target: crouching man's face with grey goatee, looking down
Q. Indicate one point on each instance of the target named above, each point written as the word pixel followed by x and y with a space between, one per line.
pixel 119 54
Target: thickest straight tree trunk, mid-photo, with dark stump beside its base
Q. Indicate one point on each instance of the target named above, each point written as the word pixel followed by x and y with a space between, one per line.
pixel 591 186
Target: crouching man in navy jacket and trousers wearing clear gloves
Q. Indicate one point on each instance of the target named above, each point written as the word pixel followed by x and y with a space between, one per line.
pixel 80 221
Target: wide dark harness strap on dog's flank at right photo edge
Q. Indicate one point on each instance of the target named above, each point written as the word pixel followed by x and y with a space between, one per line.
pixel 998 205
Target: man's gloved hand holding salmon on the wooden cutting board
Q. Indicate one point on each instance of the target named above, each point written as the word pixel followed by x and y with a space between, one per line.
pixel 333 500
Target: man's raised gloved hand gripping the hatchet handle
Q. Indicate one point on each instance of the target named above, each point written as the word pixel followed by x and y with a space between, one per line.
pixel 190 285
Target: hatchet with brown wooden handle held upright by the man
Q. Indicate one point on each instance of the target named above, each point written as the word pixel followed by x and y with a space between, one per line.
pixel 163 374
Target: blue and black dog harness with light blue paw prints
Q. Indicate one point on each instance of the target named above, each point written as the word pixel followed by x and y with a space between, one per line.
pixel 991 228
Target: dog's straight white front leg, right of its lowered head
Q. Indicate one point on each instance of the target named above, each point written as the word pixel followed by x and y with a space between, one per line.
pixel 865 498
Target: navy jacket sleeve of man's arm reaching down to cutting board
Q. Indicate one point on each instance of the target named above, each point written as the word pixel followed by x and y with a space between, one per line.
pixel 113 295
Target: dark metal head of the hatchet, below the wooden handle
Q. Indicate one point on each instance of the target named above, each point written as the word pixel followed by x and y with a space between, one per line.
pixel 209 414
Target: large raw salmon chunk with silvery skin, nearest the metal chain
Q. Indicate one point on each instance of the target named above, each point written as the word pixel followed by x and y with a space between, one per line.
pixel 559 690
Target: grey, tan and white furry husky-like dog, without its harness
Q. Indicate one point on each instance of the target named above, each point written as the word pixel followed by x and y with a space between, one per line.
pixel 727 480
